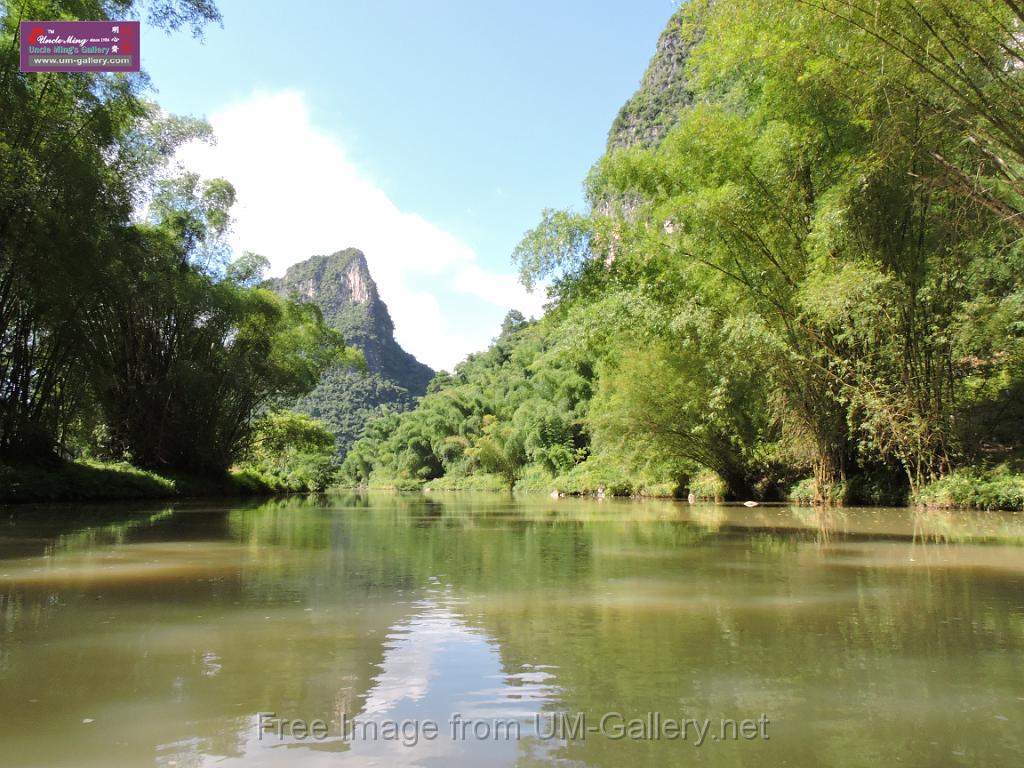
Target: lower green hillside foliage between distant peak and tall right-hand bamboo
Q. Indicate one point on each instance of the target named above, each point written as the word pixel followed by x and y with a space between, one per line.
pixel 517 405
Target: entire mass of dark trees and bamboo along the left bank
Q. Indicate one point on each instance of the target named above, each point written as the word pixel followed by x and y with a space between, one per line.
pixel 123 338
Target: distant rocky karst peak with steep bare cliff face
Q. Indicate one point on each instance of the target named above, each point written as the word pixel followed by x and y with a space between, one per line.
pixel 342 286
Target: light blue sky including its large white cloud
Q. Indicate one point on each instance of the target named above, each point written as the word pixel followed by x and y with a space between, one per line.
pixel 431 136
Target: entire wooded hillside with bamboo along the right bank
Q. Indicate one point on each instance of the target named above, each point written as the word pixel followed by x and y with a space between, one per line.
pixel 799 275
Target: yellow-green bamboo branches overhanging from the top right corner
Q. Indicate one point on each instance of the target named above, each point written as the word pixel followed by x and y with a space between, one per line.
pixel 961 63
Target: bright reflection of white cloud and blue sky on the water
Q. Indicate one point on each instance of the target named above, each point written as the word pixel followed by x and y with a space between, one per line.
pixel 436 670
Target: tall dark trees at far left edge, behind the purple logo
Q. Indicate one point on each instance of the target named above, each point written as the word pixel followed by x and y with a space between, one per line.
pixel 77 153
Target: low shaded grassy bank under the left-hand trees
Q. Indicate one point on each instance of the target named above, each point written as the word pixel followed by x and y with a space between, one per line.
pixel 90 481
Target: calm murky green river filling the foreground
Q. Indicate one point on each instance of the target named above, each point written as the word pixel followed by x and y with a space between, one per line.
pixel 461 630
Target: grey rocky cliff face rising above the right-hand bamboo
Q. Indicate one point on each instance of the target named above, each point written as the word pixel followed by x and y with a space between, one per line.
pixel 665 91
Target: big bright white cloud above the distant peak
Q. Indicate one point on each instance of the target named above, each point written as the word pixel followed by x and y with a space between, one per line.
pixel 301 195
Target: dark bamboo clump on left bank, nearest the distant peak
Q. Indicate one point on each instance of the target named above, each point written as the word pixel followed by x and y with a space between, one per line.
pixel 181 361
